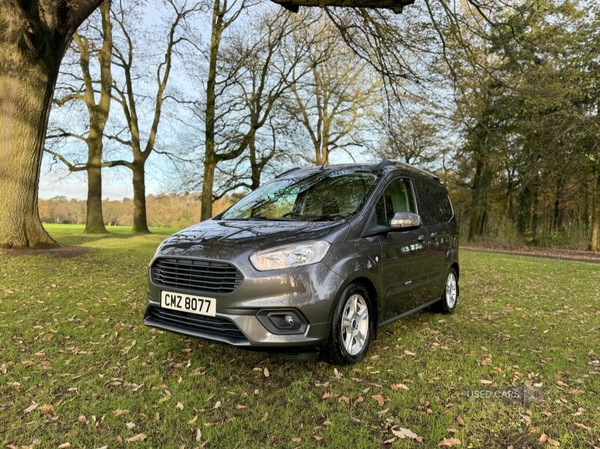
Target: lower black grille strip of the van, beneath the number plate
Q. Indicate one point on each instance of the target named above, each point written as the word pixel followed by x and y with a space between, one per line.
pixel 218 327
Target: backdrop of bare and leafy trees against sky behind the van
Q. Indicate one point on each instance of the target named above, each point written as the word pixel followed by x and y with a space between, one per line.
pixel 500 99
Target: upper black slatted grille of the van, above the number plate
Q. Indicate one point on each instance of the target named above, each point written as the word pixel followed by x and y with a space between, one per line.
pixel 197 275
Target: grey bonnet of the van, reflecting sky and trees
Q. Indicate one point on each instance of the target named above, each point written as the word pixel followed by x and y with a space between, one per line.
pixel 224 239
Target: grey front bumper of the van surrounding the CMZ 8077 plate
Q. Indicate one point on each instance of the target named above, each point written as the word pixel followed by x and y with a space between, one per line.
pixel 311 291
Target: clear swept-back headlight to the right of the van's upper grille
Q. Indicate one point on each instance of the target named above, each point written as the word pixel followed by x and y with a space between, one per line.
pixel 288 256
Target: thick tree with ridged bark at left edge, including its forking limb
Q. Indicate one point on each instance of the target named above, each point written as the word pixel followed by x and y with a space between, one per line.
pixel 33 39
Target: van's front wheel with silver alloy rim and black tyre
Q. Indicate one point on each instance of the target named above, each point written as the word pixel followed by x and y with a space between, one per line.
pixel 351 327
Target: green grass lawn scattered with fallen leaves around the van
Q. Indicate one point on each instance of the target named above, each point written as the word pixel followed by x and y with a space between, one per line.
pixel 79 369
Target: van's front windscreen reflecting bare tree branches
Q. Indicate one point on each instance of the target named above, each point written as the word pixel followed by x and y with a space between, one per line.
pixel 317 196
